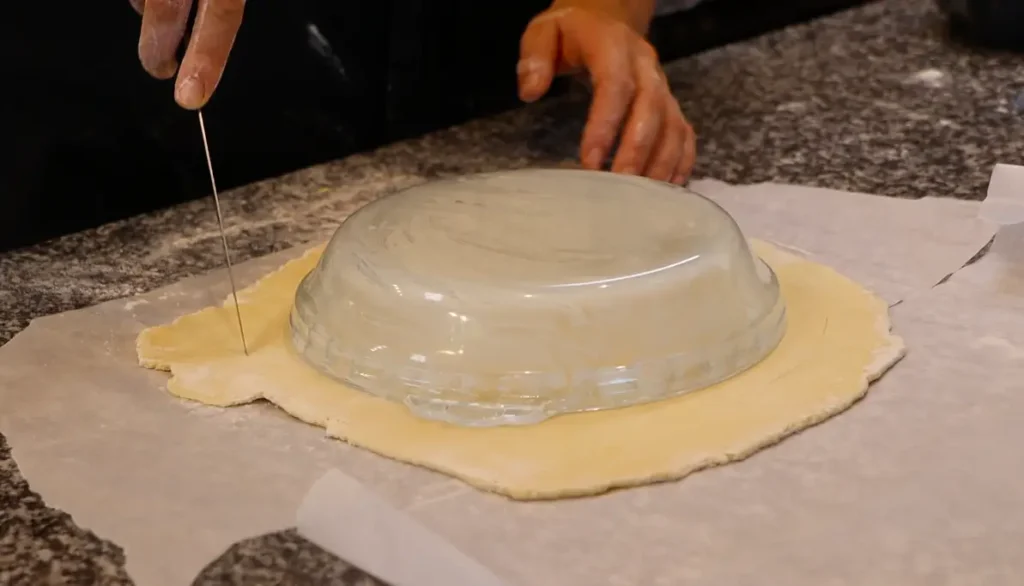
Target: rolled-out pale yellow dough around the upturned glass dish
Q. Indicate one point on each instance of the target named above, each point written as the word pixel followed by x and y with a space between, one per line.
pixel 838 342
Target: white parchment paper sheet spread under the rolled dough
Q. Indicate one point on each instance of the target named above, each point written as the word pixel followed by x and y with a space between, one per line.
pixel 920 484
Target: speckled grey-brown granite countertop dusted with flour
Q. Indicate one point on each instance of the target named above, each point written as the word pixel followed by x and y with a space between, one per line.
pixel 873 100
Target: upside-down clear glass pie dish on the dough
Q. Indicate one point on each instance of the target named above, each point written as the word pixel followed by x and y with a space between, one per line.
pixel 511 298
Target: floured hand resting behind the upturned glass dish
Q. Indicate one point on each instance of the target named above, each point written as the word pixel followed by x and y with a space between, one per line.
pixel 632 99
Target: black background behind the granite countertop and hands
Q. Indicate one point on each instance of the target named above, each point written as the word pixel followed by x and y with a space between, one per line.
pixel 92 139
